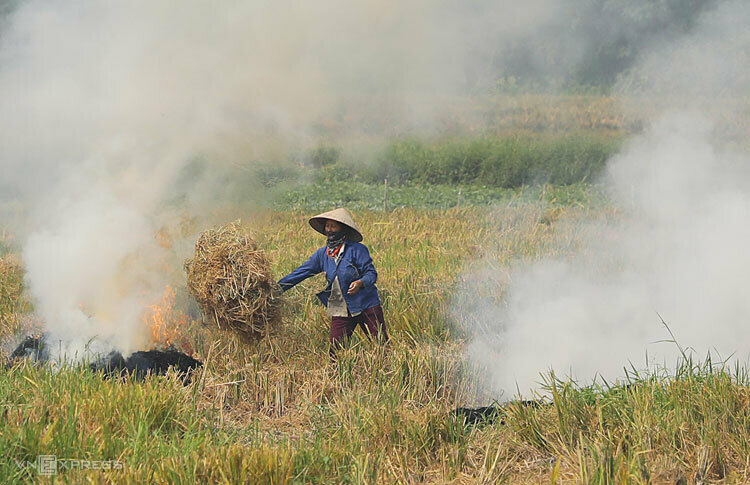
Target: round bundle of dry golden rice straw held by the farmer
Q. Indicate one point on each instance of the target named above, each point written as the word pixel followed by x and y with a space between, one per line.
pixel 230 277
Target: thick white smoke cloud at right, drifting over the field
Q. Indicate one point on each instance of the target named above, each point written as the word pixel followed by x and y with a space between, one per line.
pixel 677 251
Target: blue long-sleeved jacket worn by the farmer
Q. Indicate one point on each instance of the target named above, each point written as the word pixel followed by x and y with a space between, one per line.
pixel 355 264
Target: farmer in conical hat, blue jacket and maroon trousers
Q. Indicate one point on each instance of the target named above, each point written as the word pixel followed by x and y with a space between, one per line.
pixel 351 295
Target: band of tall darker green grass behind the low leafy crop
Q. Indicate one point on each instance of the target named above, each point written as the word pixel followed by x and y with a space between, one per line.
pixel 497 161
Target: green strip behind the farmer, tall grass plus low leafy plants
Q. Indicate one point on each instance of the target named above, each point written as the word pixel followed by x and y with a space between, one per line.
pixel 445 173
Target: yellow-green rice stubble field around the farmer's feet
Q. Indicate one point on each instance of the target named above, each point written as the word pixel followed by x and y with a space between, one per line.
pixel 277 410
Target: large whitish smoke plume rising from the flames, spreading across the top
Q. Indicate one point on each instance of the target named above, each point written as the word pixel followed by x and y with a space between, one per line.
pixel 119 118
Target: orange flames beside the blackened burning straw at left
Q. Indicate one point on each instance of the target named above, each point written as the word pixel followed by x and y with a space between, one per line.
pixel 167 323
